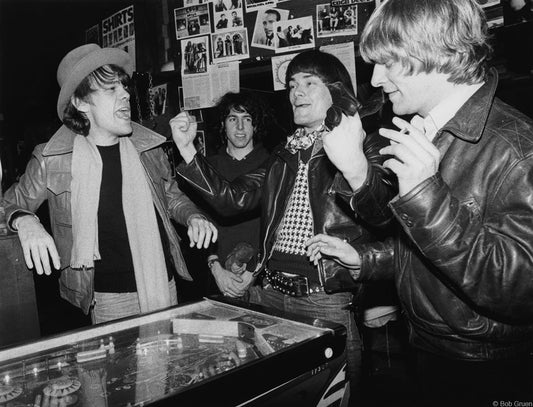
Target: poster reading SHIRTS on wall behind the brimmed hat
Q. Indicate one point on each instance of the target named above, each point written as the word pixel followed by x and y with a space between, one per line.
pixel 118 31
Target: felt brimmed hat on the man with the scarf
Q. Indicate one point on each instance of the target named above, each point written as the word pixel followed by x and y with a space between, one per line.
pixel 80 62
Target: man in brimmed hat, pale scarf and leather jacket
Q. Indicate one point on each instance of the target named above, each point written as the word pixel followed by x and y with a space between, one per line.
pixel 110 195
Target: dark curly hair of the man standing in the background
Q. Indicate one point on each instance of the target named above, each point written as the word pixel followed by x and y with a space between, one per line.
pixel 248 102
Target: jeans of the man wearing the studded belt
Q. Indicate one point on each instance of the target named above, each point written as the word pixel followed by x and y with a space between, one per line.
pixel 331 307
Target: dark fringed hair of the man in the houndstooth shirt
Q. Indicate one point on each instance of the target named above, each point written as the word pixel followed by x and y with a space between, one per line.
pixel 326 66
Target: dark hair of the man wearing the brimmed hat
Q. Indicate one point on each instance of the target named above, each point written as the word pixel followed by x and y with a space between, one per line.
pixel 104 76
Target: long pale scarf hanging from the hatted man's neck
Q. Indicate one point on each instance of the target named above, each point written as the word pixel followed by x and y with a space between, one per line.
pixel 141 223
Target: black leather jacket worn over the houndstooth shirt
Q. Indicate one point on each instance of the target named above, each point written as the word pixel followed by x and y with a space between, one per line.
pixel 270 187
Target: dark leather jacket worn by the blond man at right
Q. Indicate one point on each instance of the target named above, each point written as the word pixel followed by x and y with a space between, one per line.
pixel 463 262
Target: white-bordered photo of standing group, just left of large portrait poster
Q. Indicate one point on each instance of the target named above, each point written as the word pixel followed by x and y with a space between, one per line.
pixel 231 45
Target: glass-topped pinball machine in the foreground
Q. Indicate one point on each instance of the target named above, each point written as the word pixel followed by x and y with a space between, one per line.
pixel 206 353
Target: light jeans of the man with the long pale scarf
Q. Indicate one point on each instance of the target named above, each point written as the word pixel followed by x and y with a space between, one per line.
pixel 111 306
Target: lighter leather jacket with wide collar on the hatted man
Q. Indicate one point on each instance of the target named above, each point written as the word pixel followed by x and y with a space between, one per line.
pixel 48 177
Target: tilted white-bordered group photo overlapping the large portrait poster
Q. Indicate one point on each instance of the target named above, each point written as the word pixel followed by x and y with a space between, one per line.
pixel 295 34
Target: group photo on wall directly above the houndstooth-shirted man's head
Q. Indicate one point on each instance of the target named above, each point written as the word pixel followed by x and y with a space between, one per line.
pixel 338 20
